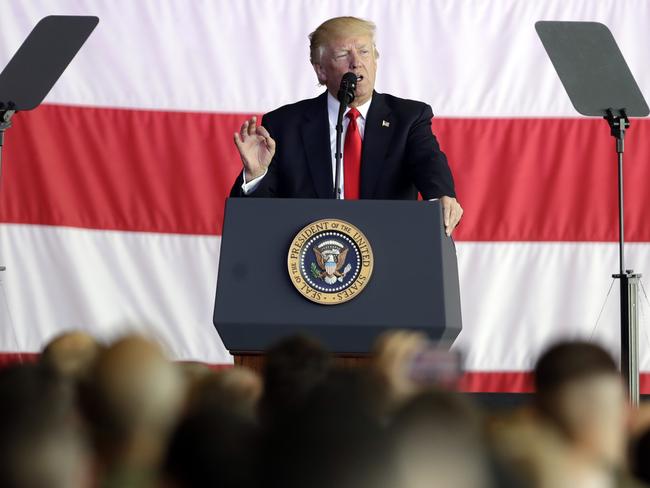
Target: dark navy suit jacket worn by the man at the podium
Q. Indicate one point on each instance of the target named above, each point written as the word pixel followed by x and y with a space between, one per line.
pixel 397 160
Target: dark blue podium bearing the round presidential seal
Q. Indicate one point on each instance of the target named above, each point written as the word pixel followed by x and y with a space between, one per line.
pixel 414 282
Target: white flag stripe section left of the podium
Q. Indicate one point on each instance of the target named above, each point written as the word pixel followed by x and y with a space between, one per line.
pixel 107 282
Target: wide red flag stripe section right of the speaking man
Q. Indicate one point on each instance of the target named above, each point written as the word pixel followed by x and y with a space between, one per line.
pixel 546 179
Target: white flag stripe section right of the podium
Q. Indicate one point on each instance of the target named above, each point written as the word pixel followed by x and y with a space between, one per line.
pixel 519 297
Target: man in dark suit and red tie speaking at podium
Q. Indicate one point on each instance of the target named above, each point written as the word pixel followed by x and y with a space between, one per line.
pixel 394 156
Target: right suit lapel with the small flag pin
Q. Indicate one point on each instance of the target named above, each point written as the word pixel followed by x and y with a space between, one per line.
pixel 376 139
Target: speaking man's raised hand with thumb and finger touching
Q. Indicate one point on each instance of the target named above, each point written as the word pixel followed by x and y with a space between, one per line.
pixel 256 148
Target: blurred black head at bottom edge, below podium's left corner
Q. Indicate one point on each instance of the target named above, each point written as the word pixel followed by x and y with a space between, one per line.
pixel 212 447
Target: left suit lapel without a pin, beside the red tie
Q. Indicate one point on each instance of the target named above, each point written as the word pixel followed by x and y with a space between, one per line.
pixel 316 143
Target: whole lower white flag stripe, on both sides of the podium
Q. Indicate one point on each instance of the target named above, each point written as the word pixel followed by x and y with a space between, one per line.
pixel 516 297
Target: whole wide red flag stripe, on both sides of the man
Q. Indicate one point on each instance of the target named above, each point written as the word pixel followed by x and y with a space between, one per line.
pixel 154 171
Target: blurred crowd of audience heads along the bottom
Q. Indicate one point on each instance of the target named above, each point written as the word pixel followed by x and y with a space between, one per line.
pixel 123 415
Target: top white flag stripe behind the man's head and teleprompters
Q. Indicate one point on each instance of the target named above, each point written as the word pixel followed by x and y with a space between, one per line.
pixel 466 58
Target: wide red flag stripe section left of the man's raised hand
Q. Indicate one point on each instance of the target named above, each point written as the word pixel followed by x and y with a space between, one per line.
pixel 119 169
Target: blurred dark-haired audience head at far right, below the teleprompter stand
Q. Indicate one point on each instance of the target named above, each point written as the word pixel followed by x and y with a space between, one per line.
pixel 580 391
